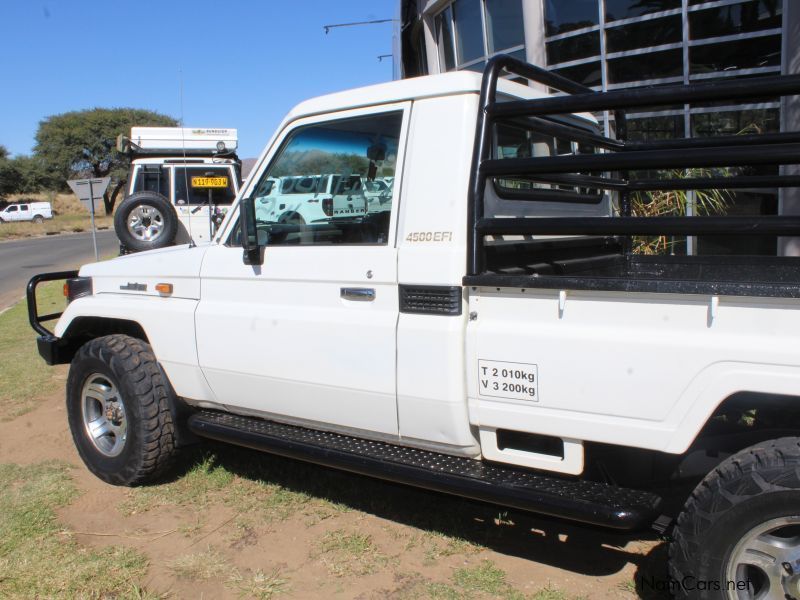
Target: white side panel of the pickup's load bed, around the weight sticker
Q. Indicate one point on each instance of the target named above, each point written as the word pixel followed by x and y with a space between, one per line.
pixel 643 370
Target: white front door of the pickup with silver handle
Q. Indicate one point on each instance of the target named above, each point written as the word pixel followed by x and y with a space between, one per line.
pixel 310 335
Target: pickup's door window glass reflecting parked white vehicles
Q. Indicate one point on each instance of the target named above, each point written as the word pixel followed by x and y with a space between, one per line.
pixel 328 183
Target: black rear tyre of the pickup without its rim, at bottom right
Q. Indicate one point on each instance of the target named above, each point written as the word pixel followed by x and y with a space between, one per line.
pixel 751 488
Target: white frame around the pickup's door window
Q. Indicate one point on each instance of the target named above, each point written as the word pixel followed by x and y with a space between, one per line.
pixel 227 233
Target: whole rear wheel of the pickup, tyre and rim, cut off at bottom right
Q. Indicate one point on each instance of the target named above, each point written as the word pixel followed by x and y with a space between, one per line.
pixel 738 537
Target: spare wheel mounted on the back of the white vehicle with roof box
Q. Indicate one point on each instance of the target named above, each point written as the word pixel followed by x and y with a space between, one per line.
pixel 146 221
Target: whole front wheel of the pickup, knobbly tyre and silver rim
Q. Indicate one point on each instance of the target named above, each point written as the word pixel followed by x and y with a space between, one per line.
pixel 118 407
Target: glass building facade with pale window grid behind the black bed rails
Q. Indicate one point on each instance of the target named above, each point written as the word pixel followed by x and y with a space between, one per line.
pixel 614 44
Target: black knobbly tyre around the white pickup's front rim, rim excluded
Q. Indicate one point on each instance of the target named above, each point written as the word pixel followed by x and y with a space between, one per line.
pixel 150 445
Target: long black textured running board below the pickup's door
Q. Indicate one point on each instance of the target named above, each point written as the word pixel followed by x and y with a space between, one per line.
pixel 585 501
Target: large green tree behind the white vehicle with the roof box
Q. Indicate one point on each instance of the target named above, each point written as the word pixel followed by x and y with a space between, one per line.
pixel 83 143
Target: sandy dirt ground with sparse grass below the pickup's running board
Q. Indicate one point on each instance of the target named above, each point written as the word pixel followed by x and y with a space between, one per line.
pixel 330 534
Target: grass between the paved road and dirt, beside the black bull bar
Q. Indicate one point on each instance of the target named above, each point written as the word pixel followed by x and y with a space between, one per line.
pixel 24 376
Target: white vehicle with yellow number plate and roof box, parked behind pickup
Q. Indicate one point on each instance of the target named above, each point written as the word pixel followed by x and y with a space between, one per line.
pixel 182 183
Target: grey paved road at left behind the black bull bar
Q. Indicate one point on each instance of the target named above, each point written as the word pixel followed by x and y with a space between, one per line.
pixel 21 259
